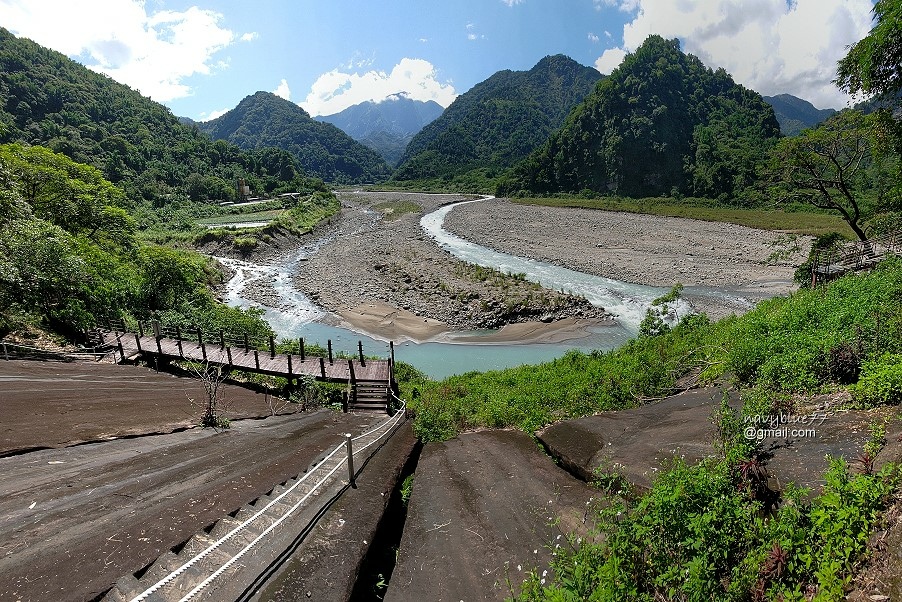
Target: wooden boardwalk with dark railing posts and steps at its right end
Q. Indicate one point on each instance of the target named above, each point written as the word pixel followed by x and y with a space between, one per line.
pixel 370 381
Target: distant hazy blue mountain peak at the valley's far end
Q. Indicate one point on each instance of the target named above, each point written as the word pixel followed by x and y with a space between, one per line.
pixel 387 126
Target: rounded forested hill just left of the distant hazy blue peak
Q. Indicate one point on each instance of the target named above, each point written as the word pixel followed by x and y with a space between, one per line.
pixel 266 120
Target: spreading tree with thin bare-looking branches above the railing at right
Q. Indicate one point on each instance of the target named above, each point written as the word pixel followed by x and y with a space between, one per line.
pixel 826 167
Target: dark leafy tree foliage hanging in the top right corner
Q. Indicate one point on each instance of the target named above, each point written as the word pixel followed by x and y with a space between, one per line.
pixel 873 66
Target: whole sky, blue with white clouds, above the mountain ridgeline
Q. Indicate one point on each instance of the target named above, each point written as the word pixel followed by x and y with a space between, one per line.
pixel 201 58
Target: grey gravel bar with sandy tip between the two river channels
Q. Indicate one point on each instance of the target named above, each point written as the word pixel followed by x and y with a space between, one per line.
pixel 387 278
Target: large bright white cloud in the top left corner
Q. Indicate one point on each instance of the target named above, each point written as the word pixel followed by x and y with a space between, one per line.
pixel 152 52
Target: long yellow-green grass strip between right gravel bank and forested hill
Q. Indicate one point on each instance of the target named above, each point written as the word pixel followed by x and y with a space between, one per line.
pixel 797 222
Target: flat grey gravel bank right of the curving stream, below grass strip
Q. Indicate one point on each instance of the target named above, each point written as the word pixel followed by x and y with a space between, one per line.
pixel 640 249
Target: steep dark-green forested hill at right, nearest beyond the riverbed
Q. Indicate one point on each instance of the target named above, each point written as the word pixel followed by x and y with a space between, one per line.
pixel 661 123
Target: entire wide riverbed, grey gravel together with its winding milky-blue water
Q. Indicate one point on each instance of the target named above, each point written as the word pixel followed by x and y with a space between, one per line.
pixel 405 280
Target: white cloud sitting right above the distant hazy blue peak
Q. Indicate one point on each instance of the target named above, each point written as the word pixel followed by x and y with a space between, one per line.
pixel 335 91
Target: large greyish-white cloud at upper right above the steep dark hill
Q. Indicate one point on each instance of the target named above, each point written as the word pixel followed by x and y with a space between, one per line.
pixel 771 46
